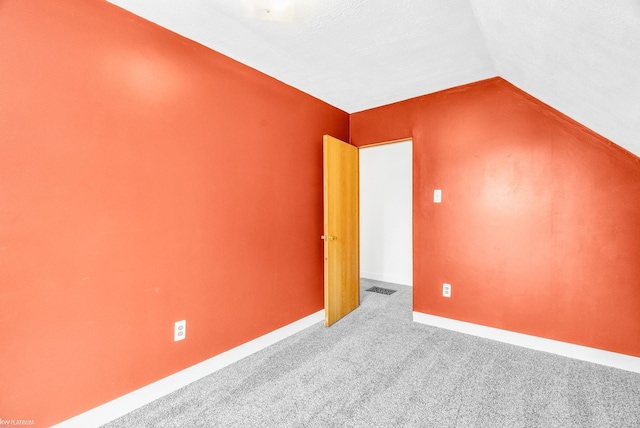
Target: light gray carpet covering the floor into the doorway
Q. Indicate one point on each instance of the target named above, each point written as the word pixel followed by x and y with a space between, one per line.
pixel 376 368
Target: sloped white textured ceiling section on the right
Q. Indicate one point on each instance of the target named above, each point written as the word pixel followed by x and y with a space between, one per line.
pixel 582 57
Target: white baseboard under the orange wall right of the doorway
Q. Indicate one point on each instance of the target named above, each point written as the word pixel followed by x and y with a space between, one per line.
pixel 592 355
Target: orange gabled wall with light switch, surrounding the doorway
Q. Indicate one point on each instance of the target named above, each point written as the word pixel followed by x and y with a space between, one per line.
pixel 538 231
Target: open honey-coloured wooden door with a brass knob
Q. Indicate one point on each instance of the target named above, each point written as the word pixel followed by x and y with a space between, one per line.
pixel 341 229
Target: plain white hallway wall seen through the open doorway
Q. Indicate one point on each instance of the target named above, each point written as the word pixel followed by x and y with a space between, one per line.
pixel 386 213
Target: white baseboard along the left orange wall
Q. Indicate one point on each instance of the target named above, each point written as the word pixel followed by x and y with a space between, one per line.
pixel 138 398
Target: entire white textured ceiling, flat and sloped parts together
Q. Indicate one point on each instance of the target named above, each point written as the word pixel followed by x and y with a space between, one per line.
pixel 582 57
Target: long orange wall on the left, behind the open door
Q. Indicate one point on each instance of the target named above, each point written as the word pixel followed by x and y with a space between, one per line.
pixel 144 179
